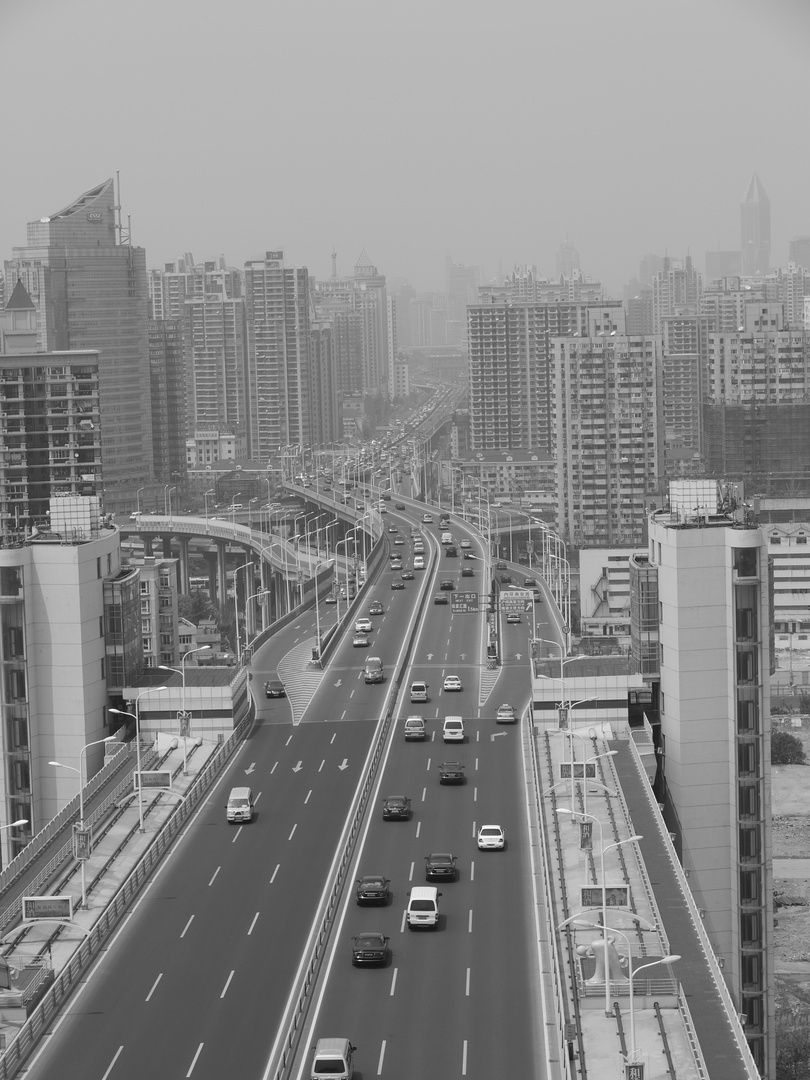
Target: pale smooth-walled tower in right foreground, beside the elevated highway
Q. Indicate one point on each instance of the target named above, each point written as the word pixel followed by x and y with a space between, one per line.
pixel 714 652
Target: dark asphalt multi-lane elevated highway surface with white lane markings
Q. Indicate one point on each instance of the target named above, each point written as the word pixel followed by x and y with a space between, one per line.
pixel 198 981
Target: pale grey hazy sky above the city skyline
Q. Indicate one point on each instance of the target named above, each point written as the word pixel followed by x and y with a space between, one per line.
pixel 490 132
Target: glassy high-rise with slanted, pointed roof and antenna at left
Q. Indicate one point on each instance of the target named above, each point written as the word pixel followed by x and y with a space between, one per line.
pixel 90 288
